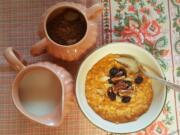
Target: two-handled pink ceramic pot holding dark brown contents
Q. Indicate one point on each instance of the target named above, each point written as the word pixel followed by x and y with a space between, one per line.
pixel 74 51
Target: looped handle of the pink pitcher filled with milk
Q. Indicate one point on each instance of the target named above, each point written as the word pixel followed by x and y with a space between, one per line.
pixel 14 59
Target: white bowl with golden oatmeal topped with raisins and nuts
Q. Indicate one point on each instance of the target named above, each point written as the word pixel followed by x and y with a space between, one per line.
pixel 114 94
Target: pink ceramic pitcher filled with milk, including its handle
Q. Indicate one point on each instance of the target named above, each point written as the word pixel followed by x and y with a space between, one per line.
pixel 43 92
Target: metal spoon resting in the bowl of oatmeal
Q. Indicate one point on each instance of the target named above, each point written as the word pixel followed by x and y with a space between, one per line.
pixel 134 65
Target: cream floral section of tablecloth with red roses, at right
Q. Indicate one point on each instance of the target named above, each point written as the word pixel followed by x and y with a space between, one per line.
pixel 155 26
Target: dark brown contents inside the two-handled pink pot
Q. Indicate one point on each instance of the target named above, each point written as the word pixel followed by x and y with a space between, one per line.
pixel 68 27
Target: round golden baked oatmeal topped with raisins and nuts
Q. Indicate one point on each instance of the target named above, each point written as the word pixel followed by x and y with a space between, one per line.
pixel 115 92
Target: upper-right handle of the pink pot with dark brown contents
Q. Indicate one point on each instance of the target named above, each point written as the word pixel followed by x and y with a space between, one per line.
pixel 94 11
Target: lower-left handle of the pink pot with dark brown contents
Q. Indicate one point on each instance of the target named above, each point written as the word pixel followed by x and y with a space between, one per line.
pixel 39 47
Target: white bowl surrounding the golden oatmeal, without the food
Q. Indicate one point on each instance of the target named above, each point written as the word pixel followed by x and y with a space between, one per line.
pixel 159 90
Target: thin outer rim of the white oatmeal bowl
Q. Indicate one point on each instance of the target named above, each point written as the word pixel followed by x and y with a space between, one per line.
pixel 86 115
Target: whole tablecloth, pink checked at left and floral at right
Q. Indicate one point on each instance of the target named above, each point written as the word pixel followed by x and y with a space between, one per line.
pixel 152 24
